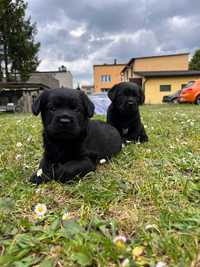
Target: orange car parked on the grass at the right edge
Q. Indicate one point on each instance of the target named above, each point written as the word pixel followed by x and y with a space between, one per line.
pixel 190 93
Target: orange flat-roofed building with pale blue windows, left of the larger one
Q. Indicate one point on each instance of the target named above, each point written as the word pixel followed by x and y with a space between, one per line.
pixel 106 75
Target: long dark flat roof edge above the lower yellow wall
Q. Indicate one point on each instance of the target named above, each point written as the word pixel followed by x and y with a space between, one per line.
pixel 168 73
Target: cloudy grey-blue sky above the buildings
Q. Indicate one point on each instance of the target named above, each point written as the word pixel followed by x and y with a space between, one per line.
pixel 80 33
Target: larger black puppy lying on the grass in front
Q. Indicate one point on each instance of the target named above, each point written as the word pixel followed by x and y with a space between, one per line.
pixel 72 143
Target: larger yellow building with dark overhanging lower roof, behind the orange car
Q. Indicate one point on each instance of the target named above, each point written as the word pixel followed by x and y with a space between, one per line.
pixel 159 75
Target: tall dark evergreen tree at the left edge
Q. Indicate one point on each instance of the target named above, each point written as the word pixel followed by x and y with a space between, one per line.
pixel 19 57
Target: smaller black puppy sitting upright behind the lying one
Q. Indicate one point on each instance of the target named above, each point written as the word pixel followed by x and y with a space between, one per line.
pixel 123 113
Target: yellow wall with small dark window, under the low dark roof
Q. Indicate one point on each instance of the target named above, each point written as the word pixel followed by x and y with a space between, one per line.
pixel 152 87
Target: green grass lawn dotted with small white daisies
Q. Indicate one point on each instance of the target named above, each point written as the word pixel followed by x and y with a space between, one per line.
pixel 149 193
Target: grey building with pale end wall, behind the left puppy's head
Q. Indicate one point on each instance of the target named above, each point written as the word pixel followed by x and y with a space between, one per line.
pixel 53 79
